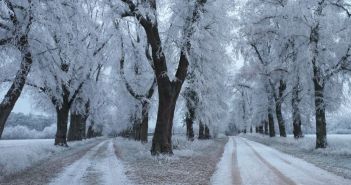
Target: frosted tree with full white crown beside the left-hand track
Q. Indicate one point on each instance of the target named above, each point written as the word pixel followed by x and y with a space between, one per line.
pixel 73 42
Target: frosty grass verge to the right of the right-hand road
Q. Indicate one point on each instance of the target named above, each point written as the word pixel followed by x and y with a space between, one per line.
pixel 336 158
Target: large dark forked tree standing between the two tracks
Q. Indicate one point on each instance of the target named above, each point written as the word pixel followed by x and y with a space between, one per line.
pixel 146 13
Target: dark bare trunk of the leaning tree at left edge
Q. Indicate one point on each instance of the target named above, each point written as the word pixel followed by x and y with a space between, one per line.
pixel 15 90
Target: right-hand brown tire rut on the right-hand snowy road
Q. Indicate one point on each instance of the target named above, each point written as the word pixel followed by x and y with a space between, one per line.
pixel 281 176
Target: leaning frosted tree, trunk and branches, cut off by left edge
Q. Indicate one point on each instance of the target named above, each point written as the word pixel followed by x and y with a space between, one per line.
pixel 16 19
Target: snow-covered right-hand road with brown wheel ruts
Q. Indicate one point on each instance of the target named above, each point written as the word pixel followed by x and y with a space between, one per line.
pixel 253 163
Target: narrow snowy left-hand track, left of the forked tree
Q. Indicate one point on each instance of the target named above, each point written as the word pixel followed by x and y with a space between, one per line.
pixel 98 166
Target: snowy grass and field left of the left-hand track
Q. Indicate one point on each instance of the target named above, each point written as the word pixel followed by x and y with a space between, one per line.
pixel 17 155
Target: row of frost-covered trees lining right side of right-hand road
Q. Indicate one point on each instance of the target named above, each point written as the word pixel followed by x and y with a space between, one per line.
pixel 297 58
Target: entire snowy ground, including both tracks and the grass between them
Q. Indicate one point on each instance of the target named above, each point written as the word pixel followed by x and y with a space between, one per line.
pixel 110 161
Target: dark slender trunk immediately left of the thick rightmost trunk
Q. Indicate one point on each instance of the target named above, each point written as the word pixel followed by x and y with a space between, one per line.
pixel 297 131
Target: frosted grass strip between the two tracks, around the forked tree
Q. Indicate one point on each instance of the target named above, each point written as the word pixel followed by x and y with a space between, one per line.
pixel 192 162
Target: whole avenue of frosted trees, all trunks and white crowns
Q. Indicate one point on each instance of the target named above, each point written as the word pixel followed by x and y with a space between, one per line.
pixel 101 65
